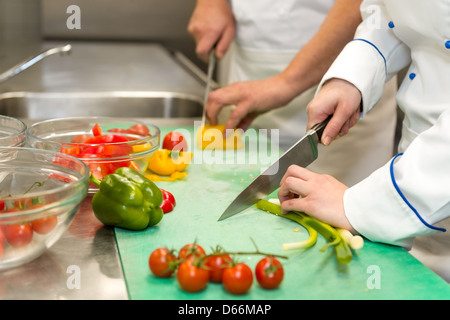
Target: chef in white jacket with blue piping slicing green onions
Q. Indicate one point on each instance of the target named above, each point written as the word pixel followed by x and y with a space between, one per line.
pixel 407 201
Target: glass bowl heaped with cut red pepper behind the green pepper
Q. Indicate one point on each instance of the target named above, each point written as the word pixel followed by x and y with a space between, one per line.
pixel 103 143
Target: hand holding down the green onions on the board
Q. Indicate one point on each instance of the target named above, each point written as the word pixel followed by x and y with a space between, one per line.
pixel 318 195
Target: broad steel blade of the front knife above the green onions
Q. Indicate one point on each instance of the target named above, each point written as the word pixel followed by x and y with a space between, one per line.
pixel 302 153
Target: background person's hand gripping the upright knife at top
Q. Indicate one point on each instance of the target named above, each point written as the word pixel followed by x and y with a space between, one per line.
pixel 212 22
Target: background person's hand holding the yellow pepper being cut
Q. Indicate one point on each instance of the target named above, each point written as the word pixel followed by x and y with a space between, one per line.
pixel 250 99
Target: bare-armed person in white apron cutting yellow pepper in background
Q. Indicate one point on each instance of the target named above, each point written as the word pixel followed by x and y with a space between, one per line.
pixel 285 47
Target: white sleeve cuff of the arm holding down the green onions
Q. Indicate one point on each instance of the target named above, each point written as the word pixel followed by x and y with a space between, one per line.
pixel 376 210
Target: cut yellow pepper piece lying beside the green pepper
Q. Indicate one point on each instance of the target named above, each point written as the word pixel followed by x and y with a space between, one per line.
pixel 165 162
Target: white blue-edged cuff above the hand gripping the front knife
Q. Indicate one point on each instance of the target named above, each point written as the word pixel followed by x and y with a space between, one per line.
pixel 363 65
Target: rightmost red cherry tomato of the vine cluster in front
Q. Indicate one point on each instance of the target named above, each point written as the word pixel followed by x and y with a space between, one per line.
pixel 269 272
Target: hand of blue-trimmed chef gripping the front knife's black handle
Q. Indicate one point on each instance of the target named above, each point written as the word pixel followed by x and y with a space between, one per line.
pixel 340 99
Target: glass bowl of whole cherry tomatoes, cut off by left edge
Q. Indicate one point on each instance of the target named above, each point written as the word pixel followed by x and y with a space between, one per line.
pixel 40 193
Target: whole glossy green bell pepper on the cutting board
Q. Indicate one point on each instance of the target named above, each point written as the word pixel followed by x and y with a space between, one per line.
pixel 127 199
